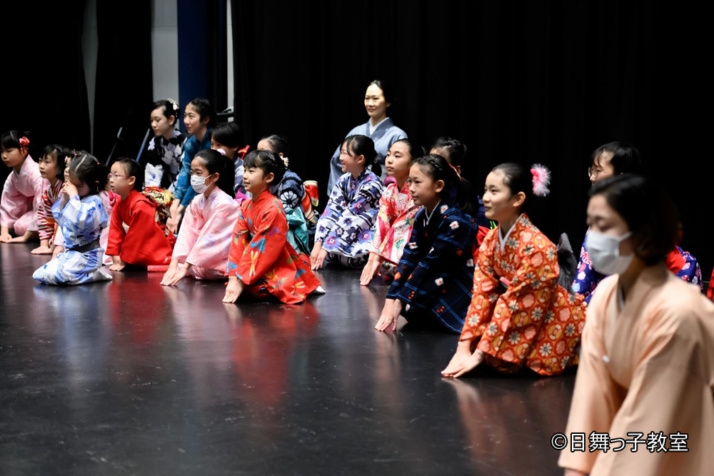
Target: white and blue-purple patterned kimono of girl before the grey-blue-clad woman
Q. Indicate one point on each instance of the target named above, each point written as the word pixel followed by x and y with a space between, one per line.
pixel 345 227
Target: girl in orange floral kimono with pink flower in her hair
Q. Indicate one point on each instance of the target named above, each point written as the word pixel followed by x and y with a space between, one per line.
pixel 519 315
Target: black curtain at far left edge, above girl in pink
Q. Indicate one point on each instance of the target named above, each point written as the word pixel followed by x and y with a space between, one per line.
pixel 43 85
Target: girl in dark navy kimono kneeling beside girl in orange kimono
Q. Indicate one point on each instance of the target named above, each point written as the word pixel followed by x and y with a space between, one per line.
pixel 432 282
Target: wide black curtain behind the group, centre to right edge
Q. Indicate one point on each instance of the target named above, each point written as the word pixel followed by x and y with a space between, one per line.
pixel 530 82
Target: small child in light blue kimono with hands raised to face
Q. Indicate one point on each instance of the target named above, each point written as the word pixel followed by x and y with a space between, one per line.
pixel 81 215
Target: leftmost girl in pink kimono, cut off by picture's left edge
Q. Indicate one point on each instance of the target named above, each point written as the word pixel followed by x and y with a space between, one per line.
pixel 22 192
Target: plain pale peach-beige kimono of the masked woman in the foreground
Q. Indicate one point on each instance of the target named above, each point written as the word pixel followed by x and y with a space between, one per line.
pixel 646 367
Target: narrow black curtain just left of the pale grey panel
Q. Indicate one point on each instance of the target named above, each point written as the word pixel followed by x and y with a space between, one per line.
pixel 124 79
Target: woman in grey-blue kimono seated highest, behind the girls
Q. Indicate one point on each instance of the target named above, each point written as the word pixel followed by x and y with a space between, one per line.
pixel 379 128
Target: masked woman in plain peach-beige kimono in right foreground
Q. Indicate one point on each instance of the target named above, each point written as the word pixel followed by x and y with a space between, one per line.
pixel 643 401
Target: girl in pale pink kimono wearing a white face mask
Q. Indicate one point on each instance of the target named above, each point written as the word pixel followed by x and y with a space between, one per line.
pixel 202 246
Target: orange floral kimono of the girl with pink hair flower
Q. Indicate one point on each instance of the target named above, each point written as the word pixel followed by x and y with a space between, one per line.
pixel 518 311
